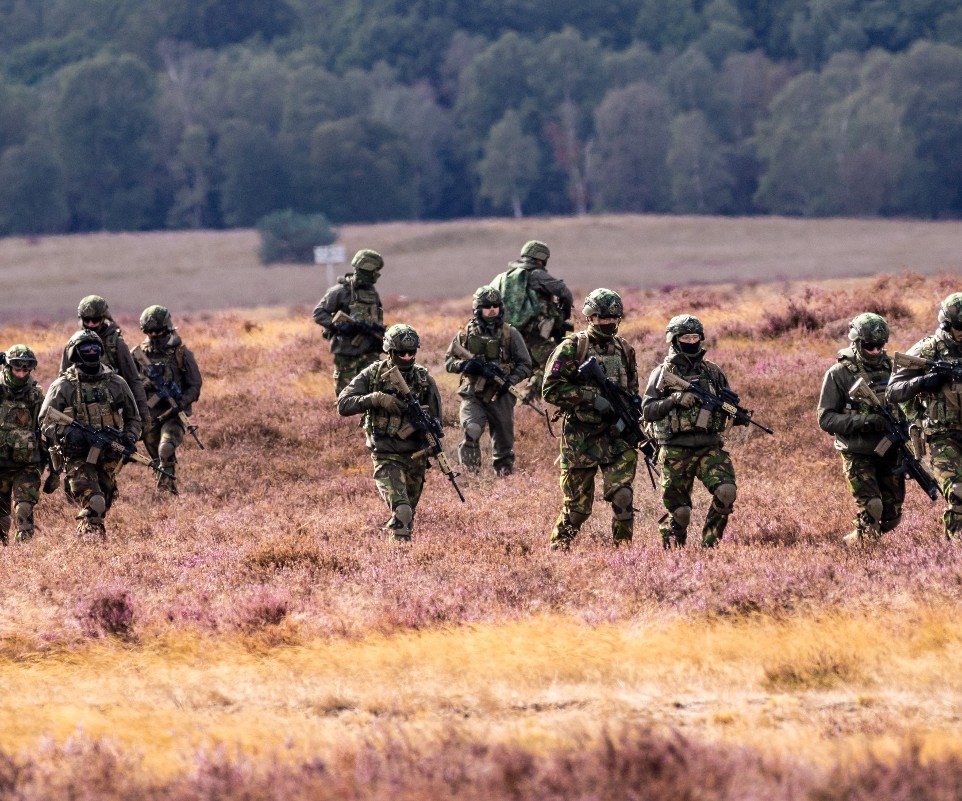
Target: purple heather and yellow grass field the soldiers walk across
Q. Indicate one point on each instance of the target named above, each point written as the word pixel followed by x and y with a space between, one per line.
pixel 257 638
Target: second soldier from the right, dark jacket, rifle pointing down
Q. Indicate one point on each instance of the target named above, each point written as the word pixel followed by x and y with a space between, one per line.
pixel 858 429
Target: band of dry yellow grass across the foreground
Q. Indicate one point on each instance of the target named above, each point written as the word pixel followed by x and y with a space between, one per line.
pixel 825 686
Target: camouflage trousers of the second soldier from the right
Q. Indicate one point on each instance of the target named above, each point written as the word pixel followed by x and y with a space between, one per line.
pixel 878 492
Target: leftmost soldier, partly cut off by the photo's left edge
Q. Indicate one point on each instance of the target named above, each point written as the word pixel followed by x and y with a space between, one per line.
pixel 21 460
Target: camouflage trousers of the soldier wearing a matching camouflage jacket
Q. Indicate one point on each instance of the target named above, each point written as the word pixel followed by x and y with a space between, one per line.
pixel 578 489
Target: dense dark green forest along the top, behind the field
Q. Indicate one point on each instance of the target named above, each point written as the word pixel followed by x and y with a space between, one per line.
pixel 120 115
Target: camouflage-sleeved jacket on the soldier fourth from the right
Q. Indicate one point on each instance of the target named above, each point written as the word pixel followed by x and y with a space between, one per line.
pixel 587 438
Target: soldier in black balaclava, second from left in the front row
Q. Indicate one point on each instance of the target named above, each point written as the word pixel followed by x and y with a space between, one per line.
pixel 93 394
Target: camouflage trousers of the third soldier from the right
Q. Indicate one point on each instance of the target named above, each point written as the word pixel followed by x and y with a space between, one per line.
pixel 679 469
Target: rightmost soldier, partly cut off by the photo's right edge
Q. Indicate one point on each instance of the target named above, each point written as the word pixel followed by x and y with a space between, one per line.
pixel 937 399
